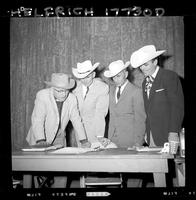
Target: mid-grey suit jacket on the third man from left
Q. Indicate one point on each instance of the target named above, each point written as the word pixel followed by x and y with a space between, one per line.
pixel 127 117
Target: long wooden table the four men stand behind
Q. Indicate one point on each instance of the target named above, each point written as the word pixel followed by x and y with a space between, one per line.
pixel 109 160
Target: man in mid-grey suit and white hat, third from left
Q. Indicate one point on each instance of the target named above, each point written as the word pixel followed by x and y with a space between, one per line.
pixel 127 114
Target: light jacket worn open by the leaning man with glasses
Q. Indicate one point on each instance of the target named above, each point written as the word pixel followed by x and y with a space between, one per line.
pixel 45 117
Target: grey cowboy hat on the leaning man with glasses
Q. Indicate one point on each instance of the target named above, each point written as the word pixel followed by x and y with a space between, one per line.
pixel 61 80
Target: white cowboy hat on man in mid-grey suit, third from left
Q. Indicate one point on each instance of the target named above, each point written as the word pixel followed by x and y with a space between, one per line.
pixel 115 68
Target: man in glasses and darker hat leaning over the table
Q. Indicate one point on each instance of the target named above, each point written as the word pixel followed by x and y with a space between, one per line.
pixel 54 107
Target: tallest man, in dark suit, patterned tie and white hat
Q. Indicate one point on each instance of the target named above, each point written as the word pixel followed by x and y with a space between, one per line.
pixel 163 97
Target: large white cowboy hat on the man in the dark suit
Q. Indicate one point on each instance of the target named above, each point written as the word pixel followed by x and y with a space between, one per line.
pixel 143 55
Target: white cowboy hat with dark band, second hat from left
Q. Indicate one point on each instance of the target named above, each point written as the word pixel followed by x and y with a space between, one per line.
pixel 84 69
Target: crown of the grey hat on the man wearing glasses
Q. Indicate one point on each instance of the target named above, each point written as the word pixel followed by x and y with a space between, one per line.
pixel 60 80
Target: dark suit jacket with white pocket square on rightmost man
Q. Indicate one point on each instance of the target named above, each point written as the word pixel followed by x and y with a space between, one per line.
pixel 165 106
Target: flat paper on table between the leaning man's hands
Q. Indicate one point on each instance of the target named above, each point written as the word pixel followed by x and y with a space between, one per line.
pixel 73 150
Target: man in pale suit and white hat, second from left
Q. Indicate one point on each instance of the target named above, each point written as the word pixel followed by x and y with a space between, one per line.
pixel 93 99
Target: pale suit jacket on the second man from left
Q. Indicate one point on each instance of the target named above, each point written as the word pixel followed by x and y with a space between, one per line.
pixel 94 108
